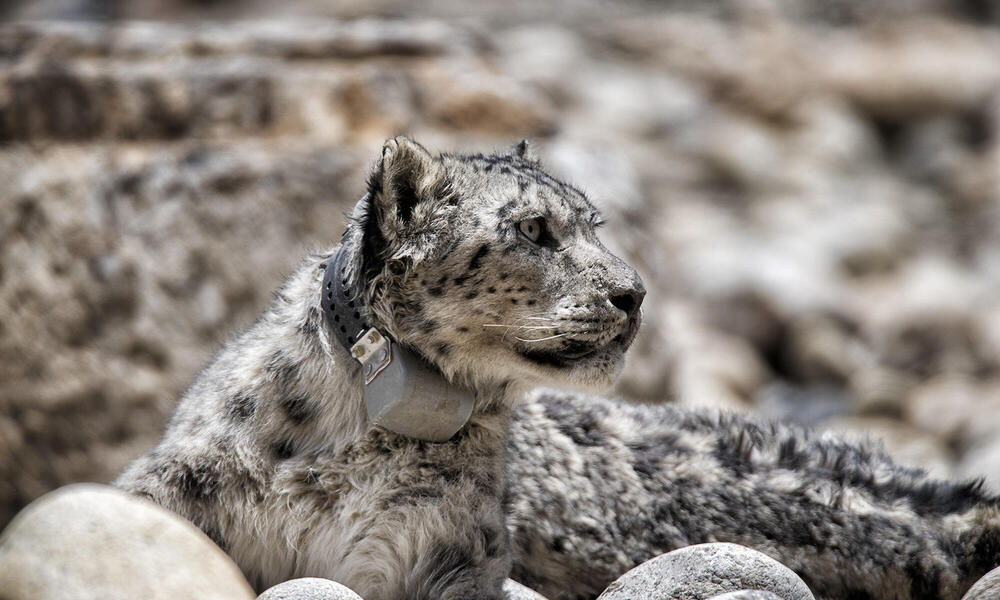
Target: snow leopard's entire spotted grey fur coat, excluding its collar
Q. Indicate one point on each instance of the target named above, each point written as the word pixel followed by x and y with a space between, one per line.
pixel 271 454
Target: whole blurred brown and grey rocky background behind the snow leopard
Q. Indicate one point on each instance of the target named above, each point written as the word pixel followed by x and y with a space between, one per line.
pixel 811 190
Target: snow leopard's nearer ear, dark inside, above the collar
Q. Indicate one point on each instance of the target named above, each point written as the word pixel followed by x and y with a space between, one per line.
pixel 406 175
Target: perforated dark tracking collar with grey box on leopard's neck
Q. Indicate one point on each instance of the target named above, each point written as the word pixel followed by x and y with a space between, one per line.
pixel 402 392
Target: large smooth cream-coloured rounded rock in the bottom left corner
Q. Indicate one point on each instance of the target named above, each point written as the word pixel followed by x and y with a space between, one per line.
pixel 91 541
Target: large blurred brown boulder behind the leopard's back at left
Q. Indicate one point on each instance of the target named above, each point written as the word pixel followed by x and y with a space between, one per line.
pixel 102 330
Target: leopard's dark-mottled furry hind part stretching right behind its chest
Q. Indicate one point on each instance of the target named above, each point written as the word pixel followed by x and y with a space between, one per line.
pixel 597 487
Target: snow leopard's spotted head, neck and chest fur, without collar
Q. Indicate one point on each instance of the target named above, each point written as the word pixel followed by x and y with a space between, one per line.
pixel 270 451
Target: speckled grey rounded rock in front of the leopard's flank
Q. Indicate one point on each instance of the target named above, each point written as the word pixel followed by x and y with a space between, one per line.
pixel 706 570
